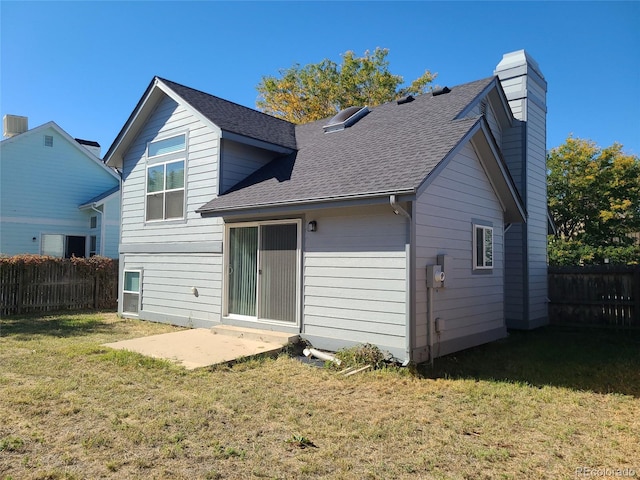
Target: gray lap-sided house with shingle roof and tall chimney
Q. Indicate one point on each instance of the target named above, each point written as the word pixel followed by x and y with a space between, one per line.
pixel 338 229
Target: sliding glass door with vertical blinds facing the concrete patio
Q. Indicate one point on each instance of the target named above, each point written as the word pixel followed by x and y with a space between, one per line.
pixel 263 271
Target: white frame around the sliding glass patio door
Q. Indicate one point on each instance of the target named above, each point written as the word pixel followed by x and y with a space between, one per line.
pixel 225 282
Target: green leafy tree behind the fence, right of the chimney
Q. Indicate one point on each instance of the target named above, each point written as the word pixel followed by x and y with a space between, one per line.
pixel 594 199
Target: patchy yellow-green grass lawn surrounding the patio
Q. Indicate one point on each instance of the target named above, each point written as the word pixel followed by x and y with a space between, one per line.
pixel 540 404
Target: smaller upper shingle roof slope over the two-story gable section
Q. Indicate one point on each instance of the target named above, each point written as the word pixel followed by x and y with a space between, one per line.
pixel 236 118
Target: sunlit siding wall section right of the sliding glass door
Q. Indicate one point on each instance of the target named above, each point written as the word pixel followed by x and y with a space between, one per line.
pixel 355 277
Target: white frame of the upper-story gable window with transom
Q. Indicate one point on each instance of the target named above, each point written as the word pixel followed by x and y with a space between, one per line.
pixel 163 160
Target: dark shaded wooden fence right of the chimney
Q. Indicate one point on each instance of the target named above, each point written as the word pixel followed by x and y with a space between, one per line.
pixel 599 295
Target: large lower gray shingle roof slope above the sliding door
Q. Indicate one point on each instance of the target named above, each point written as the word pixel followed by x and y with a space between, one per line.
pixel 390 150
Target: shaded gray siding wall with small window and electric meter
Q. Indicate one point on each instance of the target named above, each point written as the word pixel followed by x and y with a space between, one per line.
pixel 470 303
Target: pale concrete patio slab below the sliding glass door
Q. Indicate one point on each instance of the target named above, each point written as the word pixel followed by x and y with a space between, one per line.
pixel 202 347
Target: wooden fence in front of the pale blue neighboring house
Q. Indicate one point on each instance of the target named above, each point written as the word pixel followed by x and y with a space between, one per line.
pixel 31 283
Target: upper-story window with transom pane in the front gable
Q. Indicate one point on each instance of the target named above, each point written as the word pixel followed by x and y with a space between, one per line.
pixel 166 162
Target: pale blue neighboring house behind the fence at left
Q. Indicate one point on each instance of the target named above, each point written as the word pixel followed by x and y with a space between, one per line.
pixel 56 196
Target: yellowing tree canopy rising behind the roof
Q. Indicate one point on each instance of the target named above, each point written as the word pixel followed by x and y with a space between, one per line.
pixel 320 90
